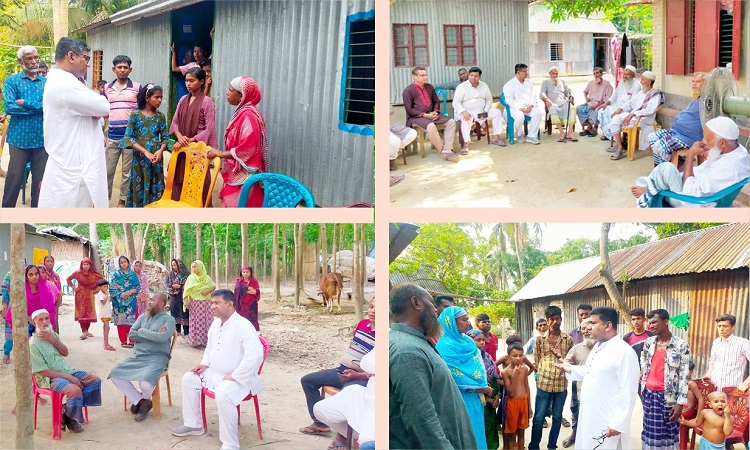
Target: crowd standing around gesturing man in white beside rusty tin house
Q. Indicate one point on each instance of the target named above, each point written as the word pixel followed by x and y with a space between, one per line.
pixel 448 391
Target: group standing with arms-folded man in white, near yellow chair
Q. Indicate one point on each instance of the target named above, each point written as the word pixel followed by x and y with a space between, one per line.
pixel 56 126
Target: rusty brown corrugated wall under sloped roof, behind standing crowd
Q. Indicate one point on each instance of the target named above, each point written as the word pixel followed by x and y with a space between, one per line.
pixel 705 296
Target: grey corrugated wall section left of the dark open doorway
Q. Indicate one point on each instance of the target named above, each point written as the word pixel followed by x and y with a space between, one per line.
pixel 150 55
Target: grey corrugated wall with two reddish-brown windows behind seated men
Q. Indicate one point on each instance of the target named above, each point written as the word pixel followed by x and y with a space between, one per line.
pixel 502 27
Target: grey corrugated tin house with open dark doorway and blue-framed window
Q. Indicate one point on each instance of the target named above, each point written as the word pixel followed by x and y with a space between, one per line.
pixel 314 62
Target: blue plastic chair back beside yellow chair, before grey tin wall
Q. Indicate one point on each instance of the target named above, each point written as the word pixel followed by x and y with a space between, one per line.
pixel 280 191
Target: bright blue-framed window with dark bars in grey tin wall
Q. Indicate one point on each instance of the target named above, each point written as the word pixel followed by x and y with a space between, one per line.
pixel 358 79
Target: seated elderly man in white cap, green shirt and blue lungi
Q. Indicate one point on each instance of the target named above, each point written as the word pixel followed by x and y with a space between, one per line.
pixel 47 364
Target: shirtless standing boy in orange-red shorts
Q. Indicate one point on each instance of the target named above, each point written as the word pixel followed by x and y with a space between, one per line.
pixel 518 406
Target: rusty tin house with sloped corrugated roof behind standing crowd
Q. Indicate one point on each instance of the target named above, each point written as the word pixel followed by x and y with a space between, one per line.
pixel 703 273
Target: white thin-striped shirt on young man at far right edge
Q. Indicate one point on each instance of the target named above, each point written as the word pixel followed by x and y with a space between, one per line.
pixel 730 360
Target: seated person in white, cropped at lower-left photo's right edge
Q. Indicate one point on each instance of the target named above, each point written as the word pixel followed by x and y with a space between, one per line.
pixel 354 405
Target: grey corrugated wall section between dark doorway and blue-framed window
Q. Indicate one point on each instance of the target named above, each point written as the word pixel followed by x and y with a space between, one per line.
pixel 295 50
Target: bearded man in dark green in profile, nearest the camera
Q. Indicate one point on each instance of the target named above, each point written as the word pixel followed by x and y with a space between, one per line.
pixel 426 407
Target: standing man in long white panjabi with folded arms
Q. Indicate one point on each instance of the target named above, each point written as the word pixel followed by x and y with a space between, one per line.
pixel 75 175
